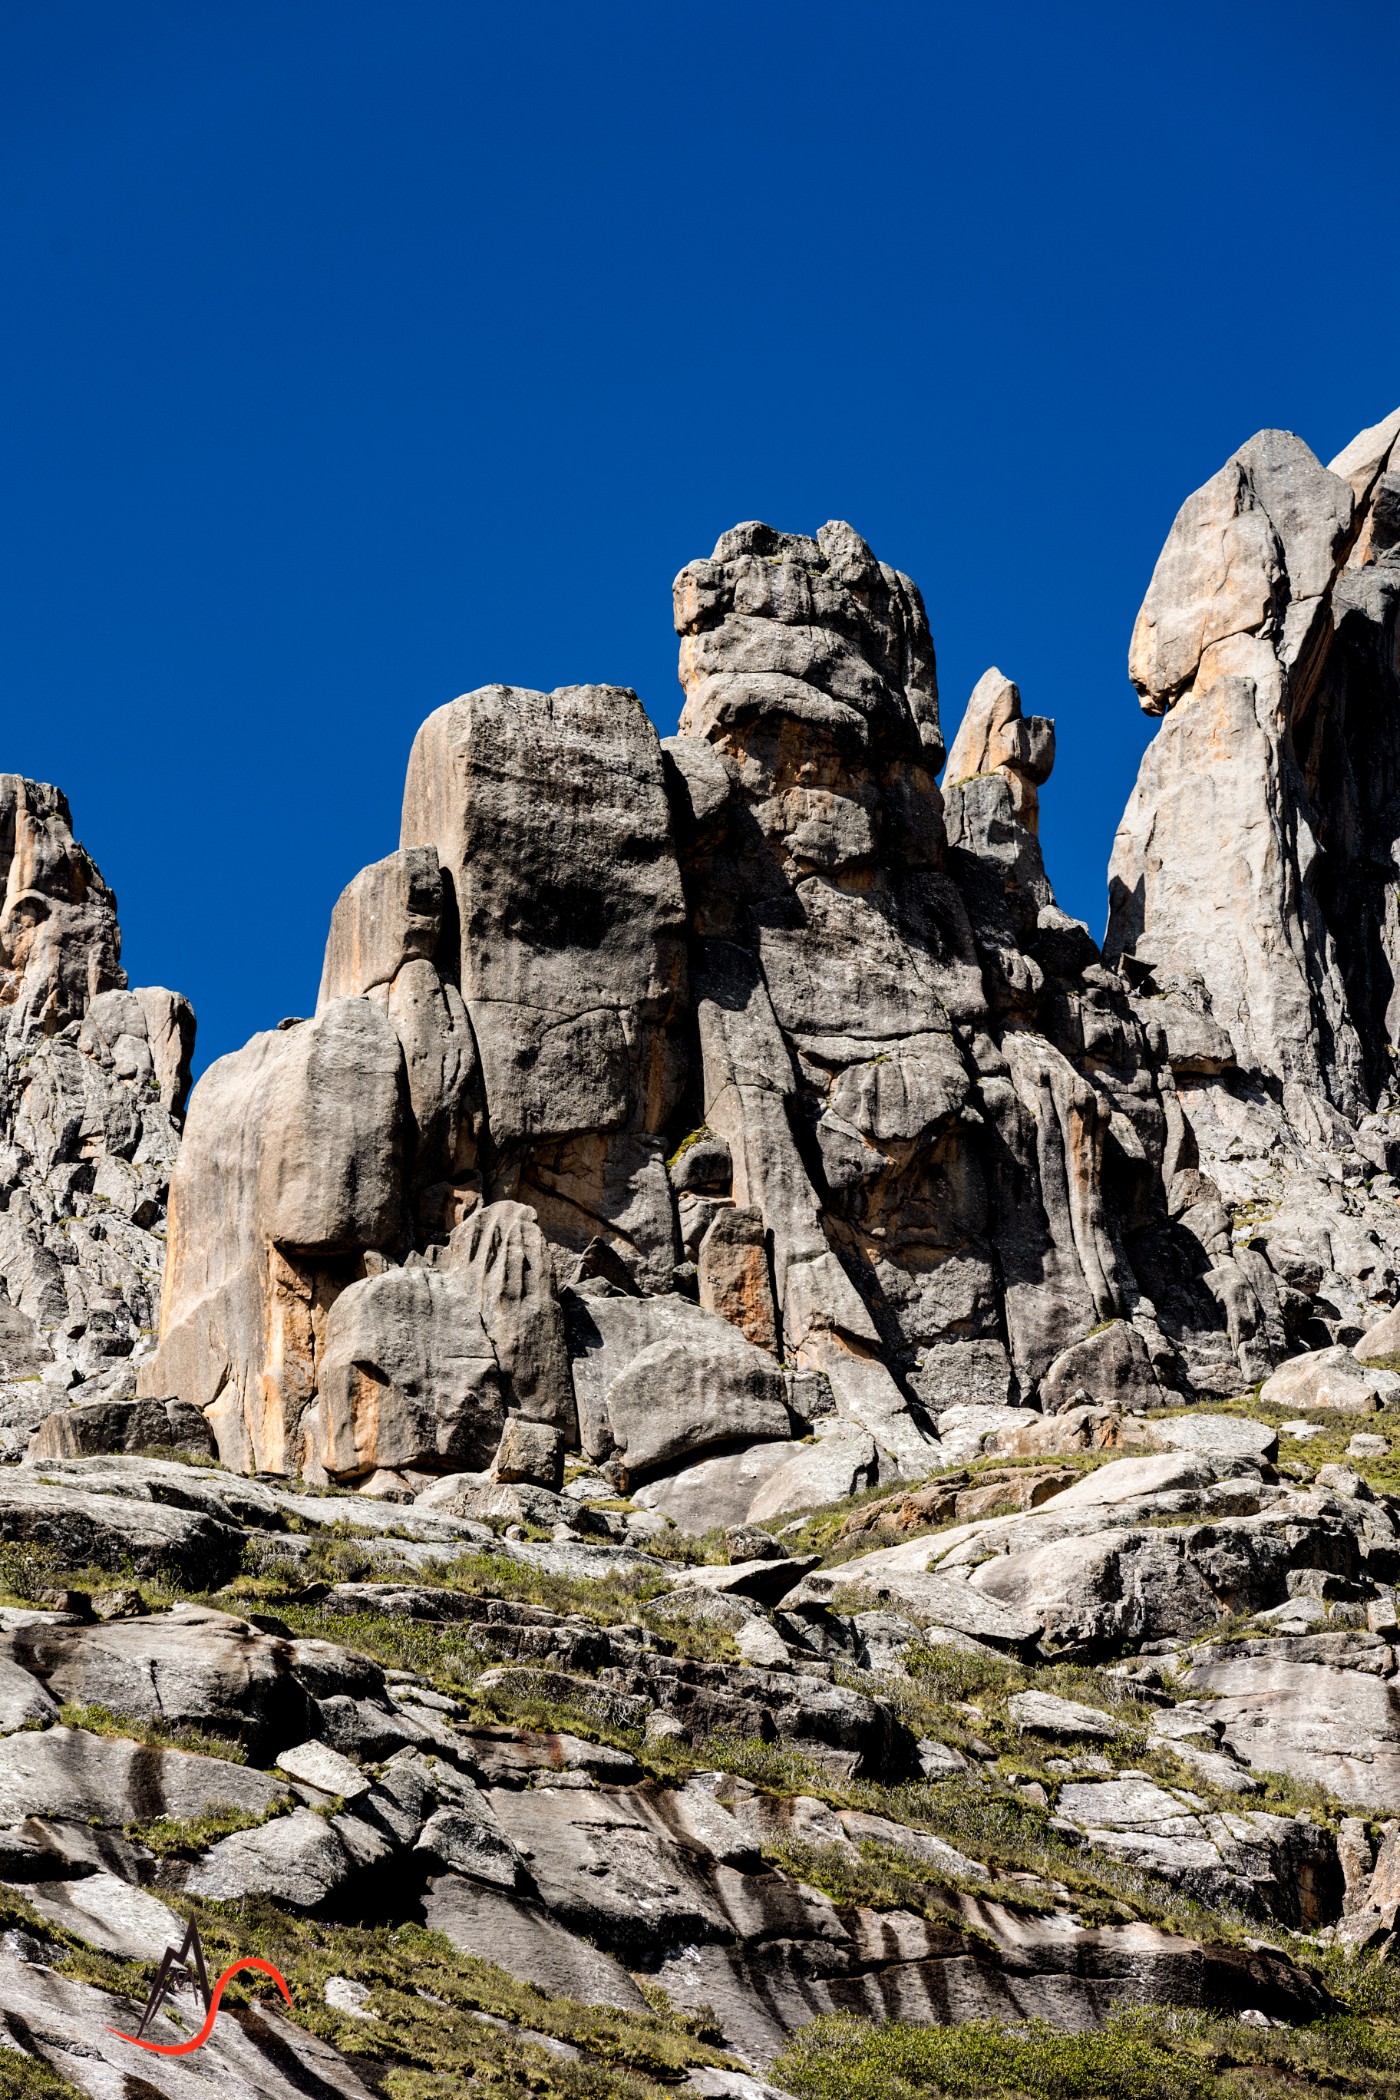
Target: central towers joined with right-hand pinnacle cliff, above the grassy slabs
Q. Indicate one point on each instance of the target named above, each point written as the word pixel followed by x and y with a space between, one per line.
pixel 681 1097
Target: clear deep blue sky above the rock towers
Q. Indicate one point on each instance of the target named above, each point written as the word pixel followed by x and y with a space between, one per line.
pixel 362 354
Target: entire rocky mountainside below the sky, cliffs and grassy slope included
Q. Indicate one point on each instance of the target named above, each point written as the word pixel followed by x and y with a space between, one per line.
pixel 797 1444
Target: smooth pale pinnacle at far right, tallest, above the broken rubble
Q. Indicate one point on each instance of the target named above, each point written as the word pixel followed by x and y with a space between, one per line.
pixel 1258 852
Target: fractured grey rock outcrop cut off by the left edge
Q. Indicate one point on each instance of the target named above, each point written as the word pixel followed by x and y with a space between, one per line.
pixel 93 1083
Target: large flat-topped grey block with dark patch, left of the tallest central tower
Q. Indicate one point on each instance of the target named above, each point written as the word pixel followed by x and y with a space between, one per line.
pixel 551 822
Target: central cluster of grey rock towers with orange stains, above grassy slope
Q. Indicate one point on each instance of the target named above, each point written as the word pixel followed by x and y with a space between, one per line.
pixel 746 1017
